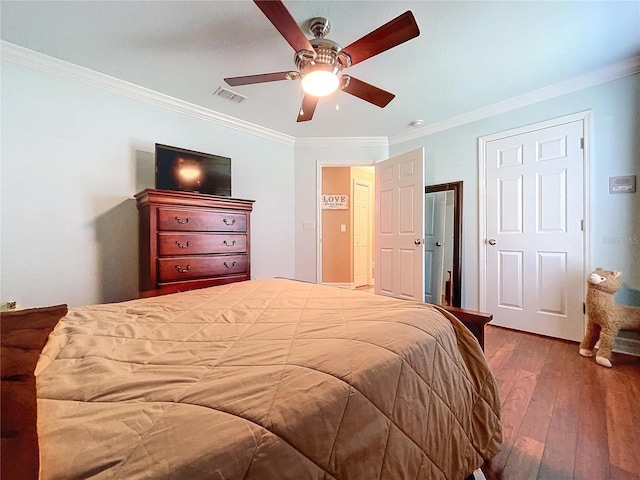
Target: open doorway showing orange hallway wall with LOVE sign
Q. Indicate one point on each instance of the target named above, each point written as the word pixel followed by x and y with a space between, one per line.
pixel 345 230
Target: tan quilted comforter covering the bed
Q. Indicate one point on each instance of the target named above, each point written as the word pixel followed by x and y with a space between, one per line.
pixel 265 379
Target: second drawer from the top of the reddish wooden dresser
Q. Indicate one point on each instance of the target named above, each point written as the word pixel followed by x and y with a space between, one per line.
pixel 200 243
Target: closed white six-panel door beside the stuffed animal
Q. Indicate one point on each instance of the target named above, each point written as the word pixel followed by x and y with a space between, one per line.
pixel 534 230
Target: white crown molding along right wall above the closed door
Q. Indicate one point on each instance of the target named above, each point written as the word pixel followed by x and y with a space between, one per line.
pixel 609 73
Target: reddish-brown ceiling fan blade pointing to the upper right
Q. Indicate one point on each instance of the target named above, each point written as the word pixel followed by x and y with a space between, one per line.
pixel 397 31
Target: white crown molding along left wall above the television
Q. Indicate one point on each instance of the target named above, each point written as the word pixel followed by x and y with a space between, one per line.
pixel 38 61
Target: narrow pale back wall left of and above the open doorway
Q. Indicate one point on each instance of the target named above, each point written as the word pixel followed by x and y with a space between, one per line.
pixel 310 152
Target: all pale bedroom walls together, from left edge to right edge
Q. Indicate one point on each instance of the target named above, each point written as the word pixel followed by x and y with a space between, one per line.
pixel 74 155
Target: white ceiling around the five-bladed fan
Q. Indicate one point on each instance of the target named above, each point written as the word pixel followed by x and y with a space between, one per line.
pixel 469 55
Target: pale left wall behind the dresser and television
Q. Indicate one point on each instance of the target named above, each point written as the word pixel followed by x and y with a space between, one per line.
pixel 73 156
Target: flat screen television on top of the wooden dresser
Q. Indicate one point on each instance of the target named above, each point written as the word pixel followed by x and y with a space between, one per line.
pixel 189 171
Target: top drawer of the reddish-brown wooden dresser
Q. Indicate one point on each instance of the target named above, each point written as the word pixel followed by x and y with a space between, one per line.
pixel 200 220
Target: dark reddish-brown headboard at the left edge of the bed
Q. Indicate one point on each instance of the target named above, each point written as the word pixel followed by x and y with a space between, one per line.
pixel 23 334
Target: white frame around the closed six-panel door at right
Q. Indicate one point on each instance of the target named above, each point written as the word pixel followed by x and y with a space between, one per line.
pixel 482 192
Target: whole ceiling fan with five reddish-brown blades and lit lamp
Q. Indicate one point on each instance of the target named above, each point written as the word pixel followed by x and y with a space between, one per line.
pixel 320 61
